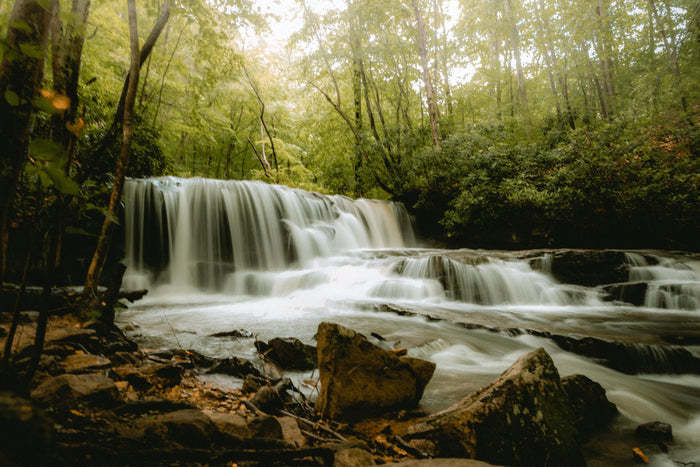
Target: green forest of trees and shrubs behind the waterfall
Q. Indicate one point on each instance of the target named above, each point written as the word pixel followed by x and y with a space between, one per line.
pixel 499 123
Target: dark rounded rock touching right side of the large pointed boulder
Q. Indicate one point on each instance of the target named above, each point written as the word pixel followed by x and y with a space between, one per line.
pixel 591 407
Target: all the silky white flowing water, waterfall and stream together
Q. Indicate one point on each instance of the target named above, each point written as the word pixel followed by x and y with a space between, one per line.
pixel 219 256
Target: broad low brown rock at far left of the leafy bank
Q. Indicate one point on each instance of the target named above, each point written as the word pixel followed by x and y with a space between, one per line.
pixel 67 390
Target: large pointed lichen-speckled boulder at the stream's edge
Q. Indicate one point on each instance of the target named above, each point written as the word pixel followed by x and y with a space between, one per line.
pixel 523 418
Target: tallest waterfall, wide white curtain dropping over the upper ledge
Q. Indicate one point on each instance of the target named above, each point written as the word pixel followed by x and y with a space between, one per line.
pixel 196 233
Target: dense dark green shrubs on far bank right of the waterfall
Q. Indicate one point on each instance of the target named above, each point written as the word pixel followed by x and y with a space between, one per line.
pixel 622 184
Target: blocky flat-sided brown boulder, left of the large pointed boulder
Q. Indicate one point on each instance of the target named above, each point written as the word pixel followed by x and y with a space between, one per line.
pixel 358 378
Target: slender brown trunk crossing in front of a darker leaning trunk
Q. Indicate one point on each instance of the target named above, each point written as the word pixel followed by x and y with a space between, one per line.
pixel 105 238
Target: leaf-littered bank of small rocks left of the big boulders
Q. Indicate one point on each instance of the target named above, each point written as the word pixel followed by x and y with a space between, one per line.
pixel 98 399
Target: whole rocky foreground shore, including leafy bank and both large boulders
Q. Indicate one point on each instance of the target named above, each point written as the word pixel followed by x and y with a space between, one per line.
pixel 98 399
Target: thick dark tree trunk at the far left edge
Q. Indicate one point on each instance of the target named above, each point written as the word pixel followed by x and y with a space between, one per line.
pixel 20 75
